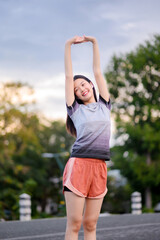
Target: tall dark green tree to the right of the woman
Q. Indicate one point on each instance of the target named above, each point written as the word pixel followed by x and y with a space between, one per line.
pixel 134 84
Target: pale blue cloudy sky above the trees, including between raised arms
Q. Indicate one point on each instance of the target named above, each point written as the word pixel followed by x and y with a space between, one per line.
pixel 33 35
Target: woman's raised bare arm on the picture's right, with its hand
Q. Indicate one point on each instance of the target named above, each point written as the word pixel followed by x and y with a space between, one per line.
pixel 101 82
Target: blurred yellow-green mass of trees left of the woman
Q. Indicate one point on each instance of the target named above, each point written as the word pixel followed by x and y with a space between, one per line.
pixel 23 139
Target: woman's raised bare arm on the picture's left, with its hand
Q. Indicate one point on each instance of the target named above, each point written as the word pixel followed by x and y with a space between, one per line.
pixel 69 84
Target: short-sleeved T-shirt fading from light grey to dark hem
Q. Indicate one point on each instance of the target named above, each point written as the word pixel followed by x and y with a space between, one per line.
pixel 92 123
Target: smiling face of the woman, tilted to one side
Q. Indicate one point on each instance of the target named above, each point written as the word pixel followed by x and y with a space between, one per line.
pixel 84 90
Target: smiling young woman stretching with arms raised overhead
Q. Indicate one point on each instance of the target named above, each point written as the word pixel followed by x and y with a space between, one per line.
pixel 85 174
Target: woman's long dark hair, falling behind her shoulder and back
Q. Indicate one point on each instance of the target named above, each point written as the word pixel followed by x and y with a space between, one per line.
pixel 69 124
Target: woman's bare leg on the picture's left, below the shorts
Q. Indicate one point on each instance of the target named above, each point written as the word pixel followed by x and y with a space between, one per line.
pixel 75 207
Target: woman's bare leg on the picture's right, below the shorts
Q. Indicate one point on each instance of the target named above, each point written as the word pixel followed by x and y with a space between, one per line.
pixel 91 214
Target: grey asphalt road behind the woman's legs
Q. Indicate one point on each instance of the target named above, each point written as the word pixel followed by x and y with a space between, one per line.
pixel 113 227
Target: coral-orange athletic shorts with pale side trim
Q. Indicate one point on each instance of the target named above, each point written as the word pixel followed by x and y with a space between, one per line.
pixel 86 177
